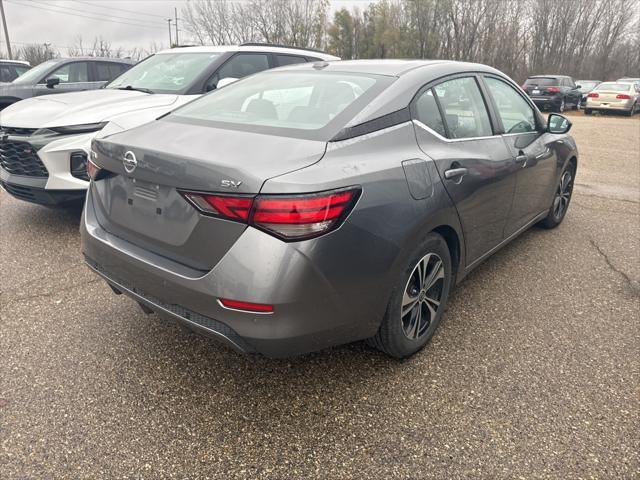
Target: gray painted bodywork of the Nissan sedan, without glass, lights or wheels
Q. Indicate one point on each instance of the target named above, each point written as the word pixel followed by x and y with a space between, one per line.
pixel 335 288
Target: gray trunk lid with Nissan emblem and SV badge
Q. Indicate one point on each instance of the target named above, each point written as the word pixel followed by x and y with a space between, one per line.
pixel 145 206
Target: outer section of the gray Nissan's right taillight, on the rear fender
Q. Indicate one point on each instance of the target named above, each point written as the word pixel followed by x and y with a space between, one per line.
pixel 303 216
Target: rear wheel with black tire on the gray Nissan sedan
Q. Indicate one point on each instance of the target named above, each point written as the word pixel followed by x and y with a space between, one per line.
pixel 396 337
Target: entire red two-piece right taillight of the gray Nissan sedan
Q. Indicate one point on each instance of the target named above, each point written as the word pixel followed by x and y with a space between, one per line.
pixel 288 217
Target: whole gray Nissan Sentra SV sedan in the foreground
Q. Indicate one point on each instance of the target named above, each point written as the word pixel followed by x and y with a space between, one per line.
pixel 315 205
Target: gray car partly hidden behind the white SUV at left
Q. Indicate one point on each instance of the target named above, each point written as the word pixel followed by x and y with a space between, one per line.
pixel 62 75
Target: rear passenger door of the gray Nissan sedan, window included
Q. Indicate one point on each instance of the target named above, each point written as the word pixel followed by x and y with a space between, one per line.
pixel 454 129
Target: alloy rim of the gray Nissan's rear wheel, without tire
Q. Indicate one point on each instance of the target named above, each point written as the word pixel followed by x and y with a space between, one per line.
pixel 422 295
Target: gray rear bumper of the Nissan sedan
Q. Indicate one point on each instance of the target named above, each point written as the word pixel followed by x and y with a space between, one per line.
pixel 311 312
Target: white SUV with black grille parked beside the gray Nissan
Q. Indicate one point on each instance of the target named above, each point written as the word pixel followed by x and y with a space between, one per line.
pixel 43 157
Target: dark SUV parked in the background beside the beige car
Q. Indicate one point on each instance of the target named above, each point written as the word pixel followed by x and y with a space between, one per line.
pixel 553 92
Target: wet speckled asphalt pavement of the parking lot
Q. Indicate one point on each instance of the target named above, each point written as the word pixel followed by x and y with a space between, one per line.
pixel 535 372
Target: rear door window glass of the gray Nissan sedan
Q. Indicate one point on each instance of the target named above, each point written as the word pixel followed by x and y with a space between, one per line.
pixel 465 113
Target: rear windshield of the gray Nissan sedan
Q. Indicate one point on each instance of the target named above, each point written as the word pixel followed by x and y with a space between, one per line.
pixel 289 103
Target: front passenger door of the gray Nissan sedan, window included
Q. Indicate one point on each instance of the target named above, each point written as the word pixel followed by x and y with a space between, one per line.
pixel 534 156
